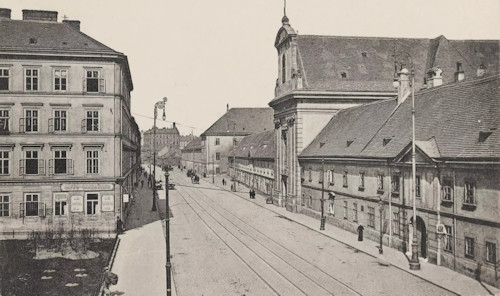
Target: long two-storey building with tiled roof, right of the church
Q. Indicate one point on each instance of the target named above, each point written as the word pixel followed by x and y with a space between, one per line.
pixel 363 158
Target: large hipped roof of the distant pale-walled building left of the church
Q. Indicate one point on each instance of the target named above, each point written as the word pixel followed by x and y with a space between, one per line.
pixel 242 122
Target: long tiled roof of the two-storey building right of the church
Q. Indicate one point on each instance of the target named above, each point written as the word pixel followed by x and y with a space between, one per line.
pixel 448 122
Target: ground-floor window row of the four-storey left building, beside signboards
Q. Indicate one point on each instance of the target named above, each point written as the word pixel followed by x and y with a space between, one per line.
pixel 33 207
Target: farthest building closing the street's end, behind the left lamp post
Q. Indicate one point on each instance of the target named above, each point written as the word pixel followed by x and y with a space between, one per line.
pixel 166 138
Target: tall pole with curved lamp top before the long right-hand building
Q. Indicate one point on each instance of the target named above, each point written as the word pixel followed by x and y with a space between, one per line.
pixel 402 55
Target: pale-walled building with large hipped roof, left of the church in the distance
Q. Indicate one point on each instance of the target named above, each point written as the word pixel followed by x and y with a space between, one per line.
pixel 227 131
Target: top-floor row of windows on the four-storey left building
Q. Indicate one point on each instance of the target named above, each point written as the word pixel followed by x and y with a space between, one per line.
pixel 92 83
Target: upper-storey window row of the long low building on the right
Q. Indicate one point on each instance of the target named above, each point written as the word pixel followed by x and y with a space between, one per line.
pixel 446 191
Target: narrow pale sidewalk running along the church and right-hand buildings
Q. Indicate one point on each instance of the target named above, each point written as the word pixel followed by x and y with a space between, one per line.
pixel 440 276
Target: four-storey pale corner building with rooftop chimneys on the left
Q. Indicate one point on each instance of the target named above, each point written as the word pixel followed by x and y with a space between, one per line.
pixel 69 146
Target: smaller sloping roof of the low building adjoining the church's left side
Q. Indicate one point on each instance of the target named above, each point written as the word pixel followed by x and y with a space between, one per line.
pixel 259 145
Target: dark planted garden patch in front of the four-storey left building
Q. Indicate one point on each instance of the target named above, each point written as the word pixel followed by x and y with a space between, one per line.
pixel 22 275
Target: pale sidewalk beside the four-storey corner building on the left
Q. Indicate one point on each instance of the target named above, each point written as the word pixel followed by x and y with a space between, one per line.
pixel 140 259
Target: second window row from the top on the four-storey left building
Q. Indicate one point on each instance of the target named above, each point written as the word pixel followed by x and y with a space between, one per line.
pixel 30 123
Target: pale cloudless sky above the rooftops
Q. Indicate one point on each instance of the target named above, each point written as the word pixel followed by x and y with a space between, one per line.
pixel 205 54
